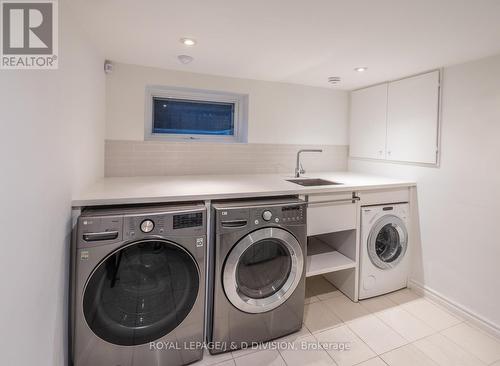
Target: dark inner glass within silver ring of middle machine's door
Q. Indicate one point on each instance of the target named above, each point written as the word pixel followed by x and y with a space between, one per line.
pixel 263 269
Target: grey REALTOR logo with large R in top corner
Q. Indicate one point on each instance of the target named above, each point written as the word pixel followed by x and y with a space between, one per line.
pixel 29 35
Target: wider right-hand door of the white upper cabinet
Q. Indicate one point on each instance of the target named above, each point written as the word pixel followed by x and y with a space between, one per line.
pixel 412 119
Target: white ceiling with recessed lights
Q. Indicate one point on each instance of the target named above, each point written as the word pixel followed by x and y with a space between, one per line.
pixel 295 41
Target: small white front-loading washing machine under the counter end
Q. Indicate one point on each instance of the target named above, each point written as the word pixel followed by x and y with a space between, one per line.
pixel 384 255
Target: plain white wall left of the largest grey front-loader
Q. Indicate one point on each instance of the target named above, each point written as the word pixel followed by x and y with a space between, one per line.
pixel 51 145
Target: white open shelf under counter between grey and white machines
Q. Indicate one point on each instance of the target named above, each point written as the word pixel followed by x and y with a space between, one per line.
pixel 322 258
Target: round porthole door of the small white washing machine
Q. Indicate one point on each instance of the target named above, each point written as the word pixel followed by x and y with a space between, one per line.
pixel 387 242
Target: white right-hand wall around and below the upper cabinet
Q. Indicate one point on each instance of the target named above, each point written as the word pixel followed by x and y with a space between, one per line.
pixel 459 202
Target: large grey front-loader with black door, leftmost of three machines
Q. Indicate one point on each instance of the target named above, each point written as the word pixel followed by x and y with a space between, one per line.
pixel 139 286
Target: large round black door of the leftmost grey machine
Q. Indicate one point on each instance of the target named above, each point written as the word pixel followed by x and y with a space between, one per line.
pixel 141 292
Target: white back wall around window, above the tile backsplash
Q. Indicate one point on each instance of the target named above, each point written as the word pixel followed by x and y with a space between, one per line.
pixel 279 113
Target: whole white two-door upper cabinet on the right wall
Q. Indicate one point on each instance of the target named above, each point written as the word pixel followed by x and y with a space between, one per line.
pixel 397 121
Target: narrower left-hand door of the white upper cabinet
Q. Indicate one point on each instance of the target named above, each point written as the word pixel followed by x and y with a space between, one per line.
pixel 368 122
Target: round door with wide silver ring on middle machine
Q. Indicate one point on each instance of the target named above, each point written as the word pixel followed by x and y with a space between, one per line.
pixel 263 270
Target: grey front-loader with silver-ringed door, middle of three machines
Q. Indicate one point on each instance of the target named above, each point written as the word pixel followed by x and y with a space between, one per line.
pixel 259 271
